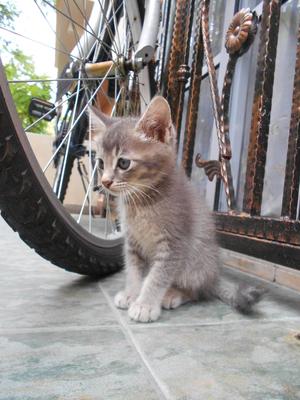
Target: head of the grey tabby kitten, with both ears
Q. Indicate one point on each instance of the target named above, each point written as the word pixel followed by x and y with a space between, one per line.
pixel 135 156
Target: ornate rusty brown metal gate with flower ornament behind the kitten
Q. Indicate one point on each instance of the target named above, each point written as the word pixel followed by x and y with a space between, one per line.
pixel 243 229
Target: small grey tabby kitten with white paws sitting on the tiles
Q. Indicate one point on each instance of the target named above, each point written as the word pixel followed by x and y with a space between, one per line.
pixel 171 254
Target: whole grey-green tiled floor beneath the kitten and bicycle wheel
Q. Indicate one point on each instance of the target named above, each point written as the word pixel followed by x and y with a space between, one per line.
pixel 62 338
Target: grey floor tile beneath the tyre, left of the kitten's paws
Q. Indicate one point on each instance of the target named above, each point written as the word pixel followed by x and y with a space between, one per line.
pixel 35 293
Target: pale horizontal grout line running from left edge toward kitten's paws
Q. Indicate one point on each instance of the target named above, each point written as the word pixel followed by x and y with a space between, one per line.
pixel 47 329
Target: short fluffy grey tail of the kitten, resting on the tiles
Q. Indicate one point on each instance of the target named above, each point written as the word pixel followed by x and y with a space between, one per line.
pixel 241 297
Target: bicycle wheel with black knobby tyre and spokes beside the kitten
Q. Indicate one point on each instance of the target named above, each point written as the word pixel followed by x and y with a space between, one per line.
pixel 73 236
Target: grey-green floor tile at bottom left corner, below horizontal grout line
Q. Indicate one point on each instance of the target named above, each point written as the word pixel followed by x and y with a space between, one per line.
pixel 81 365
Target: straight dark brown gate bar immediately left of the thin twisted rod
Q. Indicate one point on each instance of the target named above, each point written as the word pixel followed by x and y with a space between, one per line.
pixel 193 102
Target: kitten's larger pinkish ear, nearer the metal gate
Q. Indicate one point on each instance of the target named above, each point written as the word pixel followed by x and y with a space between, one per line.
pixel 156 122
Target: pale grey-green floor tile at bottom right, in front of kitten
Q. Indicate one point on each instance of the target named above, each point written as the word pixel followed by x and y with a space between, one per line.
pixel 251 360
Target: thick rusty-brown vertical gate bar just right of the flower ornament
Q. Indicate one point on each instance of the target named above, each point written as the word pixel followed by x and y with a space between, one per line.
pixel 261 110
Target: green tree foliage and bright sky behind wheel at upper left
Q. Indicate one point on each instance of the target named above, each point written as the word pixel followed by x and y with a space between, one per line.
pixel 19 66
